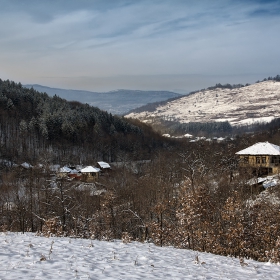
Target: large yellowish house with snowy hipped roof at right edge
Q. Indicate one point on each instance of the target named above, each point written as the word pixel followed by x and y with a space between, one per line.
pixel 262 157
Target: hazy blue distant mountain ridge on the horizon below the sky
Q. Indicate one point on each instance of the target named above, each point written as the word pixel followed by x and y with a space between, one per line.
pixel 117 102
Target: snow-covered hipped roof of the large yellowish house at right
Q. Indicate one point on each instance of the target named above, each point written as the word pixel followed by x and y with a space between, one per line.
pixel 261 148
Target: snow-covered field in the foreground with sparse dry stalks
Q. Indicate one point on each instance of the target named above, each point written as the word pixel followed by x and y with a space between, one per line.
pixel 26 256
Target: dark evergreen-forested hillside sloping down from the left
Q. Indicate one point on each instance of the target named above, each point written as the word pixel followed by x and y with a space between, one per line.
pixel 34 125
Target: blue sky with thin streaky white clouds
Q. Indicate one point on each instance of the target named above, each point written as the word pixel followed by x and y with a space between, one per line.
pixel 176 45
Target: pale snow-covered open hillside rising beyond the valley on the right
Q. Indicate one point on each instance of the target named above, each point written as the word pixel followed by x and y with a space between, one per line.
pixel 255 103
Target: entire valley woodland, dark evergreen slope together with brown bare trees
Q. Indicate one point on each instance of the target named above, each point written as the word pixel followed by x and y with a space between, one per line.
pixel 190 195
